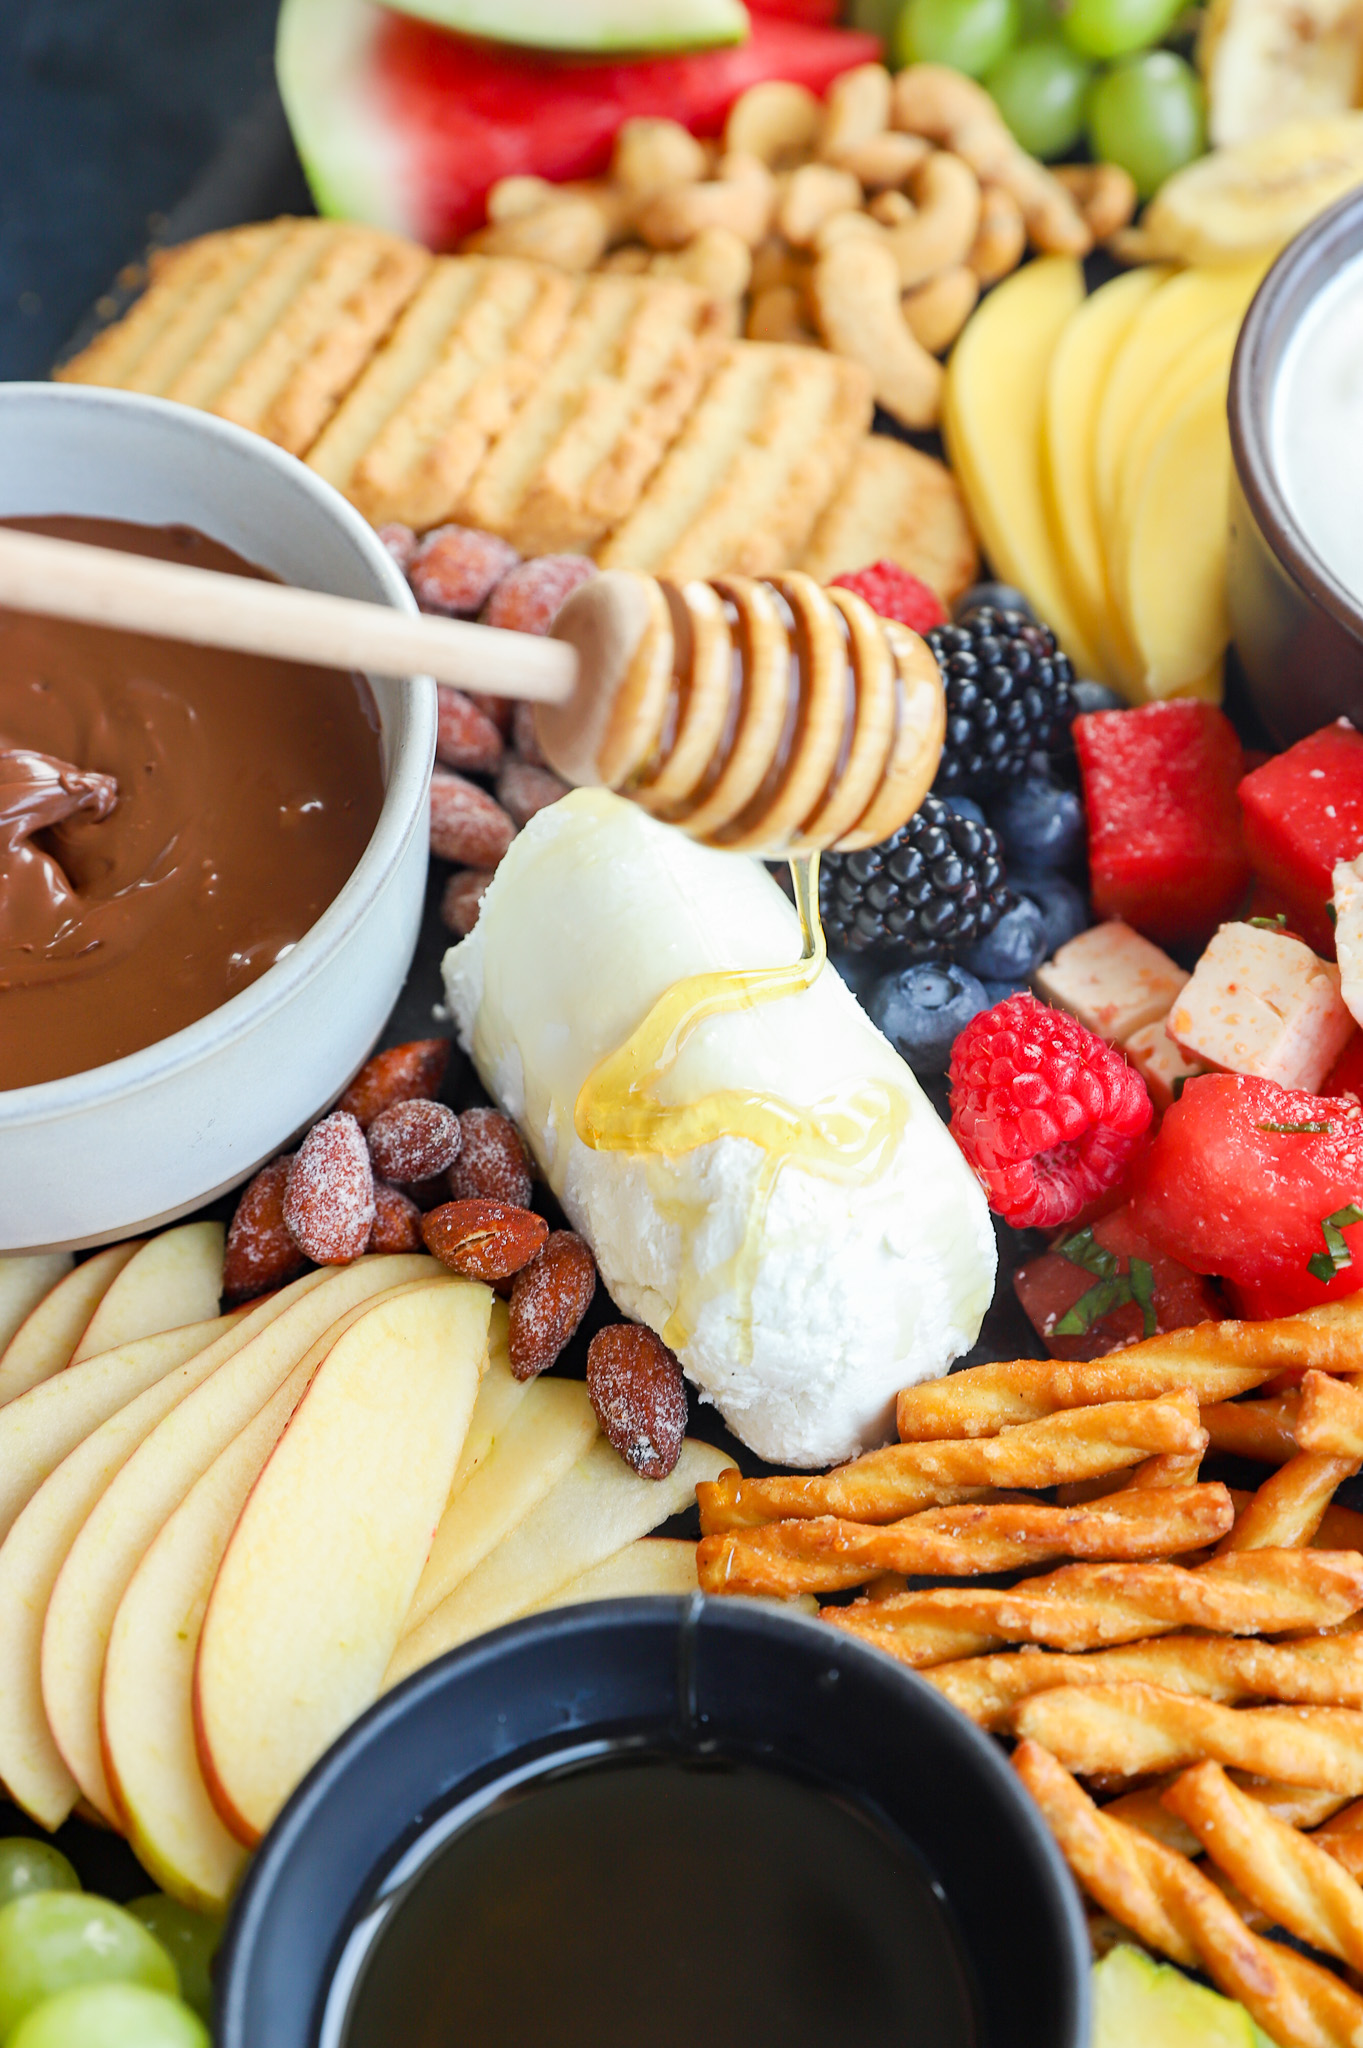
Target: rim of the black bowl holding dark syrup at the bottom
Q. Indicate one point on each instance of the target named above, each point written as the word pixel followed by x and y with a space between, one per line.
pixel 359 1748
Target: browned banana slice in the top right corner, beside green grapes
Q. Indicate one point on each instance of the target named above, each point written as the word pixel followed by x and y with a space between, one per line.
pixel 1278 60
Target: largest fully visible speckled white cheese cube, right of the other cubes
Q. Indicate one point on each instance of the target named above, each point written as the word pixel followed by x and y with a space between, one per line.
pixel 1262 1002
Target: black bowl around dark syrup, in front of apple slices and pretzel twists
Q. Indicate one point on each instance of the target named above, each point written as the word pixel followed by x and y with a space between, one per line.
pixel 746 1678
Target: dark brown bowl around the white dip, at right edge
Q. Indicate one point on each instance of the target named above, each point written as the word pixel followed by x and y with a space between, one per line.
pixel 1296 628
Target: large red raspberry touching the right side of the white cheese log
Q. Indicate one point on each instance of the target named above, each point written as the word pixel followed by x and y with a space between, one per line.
pixel 1047 1115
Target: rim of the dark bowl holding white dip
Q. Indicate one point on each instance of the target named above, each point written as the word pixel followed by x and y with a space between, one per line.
pixel 1294 282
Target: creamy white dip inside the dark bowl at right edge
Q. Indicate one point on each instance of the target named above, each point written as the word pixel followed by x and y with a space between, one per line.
pixel 1317 427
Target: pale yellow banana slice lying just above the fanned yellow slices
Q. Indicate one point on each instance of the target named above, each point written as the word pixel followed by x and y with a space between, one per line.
pixel 1256 198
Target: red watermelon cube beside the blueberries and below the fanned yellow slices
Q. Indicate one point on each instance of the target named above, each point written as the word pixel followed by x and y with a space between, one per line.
pixel 1166 849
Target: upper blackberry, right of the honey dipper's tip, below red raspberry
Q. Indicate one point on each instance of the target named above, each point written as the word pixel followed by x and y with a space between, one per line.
pixel 1008 697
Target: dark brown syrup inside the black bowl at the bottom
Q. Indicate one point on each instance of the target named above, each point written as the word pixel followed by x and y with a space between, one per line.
pixel 658 1902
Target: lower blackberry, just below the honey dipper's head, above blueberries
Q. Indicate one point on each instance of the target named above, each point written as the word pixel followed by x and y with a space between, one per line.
pixel 928 890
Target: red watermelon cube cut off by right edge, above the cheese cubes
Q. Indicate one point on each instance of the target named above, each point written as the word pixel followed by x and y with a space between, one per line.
pixel 1303 814
